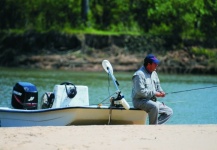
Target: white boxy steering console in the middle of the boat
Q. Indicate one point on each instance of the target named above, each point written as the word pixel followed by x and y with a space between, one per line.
pixel 62 100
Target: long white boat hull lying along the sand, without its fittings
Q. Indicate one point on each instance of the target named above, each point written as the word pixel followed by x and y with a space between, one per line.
pixel 91 115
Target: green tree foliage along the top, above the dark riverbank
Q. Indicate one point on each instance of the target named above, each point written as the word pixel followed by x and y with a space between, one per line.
pixel 172 20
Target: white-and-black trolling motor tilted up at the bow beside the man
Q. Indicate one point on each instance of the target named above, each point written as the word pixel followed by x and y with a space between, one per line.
pixel 119 99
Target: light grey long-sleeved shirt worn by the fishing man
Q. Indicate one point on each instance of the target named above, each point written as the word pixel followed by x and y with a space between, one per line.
pixel 145 84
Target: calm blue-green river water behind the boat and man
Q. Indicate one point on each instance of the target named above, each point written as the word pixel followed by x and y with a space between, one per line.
pixel 193 107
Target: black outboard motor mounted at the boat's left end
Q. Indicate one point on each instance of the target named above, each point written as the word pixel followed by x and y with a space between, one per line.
pixel 24 96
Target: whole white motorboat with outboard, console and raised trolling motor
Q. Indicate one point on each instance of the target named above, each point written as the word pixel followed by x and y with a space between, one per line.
pixel 67 105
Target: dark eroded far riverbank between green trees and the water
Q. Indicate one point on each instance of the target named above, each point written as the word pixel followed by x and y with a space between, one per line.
pixel 85 52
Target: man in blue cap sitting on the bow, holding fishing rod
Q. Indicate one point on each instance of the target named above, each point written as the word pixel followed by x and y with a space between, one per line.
pixel 146 89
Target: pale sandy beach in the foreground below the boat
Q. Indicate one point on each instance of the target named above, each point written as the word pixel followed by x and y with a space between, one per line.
pixel 113 137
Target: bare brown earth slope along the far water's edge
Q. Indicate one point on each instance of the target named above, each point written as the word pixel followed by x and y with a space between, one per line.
pixel 179 62
